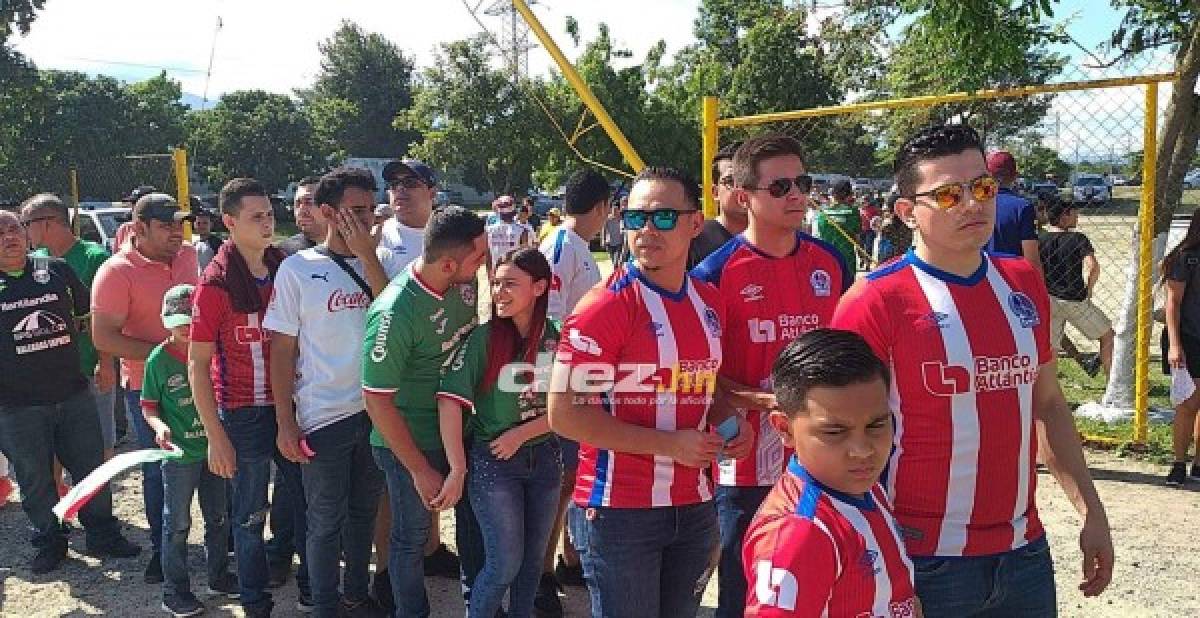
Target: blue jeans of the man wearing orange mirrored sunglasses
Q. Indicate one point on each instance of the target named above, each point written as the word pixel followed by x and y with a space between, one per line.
pixel 1019 583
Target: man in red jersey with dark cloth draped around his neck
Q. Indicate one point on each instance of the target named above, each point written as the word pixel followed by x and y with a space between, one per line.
pixel 230 373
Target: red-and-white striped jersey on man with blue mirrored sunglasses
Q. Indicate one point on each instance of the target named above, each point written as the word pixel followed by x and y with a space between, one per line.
pixel 664 350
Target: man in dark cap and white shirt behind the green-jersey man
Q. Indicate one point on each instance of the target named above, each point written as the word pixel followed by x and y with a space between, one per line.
pixel 412 187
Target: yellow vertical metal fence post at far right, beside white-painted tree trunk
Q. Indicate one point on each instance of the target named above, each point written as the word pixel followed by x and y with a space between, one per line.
pixel 1145 268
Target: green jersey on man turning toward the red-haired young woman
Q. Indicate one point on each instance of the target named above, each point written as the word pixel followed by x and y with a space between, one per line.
pixel 412 331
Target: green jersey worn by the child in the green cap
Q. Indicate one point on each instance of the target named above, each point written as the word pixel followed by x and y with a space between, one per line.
pixel 165 388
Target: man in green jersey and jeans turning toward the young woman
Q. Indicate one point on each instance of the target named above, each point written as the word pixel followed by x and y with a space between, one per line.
pixel 412 331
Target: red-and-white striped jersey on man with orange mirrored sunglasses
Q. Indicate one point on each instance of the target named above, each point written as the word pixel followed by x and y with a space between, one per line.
pixel 964 353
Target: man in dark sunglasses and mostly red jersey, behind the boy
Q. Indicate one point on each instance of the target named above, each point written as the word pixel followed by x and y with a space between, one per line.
pixel 777 284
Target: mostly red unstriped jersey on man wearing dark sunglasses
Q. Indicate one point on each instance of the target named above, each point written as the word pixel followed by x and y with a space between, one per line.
pixel 770 303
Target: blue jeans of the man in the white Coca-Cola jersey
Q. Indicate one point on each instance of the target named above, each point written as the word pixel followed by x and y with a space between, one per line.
pixel 343 488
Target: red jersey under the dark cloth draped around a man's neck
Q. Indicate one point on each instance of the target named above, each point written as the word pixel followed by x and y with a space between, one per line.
pixel 241 368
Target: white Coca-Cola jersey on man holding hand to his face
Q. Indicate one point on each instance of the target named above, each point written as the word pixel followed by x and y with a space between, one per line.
pixel 322 307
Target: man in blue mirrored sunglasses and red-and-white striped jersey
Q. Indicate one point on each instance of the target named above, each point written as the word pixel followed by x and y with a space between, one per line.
pixel 639 362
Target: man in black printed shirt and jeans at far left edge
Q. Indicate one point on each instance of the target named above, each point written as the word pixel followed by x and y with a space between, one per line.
pixel 46 410
